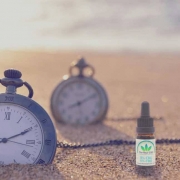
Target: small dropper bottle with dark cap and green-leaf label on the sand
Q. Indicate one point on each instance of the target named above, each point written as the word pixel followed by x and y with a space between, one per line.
pixel 145 142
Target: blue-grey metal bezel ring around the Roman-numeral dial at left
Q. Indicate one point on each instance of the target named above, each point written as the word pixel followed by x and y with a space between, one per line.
pixel 48 151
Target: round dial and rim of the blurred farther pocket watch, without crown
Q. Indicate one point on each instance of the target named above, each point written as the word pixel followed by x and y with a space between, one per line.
pixel 79 102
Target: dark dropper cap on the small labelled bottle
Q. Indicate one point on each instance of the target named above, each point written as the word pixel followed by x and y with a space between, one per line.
pixel 145 122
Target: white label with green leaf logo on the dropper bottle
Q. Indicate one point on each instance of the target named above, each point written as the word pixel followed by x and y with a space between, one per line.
pixel 145 152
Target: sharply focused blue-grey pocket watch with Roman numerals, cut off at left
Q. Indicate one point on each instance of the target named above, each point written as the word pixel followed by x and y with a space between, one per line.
pixel 27 134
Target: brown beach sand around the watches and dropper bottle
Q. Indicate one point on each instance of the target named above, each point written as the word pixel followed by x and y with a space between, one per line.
pixel 128 79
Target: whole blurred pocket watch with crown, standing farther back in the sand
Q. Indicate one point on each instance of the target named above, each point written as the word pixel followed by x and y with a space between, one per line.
pixel 79 99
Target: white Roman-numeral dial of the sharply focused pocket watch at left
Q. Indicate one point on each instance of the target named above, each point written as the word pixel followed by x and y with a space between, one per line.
pixel 21 136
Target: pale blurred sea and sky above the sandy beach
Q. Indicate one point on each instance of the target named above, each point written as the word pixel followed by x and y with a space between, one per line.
pixel 100 25
